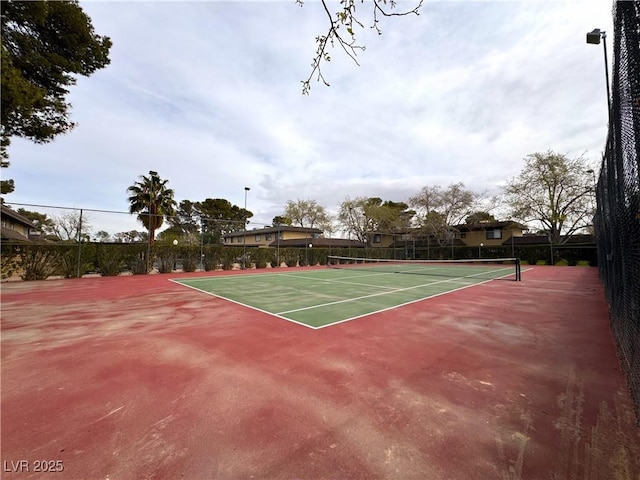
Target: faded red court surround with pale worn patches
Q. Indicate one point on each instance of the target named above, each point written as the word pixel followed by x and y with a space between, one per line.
pixel 140 378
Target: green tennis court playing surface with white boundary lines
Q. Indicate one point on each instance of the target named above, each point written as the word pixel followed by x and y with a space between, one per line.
pixel 323 297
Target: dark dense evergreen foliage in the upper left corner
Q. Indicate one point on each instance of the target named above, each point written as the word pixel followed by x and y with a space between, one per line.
pixel 45 44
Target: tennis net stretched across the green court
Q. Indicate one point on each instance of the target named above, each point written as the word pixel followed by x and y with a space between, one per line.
pixel 494 268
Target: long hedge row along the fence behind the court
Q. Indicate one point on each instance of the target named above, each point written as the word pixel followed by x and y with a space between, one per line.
pixel 40 261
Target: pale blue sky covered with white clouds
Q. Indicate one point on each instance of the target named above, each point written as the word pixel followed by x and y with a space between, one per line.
pixel 209 95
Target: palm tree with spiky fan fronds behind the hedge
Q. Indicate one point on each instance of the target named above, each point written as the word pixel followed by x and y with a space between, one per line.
pixel 152 201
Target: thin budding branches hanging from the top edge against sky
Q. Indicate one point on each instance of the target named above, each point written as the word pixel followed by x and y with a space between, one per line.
pixel 341 32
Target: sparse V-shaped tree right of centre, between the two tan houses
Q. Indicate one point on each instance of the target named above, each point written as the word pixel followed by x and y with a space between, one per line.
pixel 440 210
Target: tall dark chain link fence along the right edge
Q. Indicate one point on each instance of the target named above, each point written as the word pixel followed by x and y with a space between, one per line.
pixel 617 220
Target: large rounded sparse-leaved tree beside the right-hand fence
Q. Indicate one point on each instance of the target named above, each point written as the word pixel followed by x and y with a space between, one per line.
pixel 555 191
